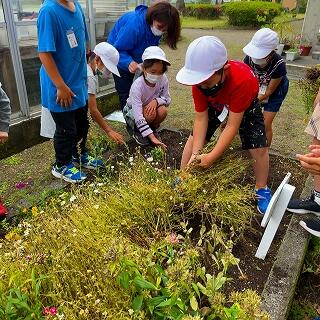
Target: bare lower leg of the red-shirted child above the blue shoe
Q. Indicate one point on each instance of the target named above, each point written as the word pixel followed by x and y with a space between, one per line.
pixel 260 166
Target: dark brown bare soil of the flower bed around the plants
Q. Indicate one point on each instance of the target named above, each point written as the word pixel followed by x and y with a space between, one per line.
pixel 255 271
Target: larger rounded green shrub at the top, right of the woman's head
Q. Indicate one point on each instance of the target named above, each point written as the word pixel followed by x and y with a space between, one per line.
pixel 251 14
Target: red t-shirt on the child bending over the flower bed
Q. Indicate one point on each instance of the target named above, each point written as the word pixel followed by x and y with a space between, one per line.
pixel 240 89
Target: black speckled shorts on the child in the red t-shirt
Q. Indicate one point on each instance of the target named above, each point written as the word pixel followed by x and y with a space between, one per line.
pixel 252 130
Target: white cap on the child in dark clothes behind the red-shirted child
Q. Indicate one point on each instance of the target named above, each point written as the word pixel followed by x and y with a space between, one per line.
pixel 262 43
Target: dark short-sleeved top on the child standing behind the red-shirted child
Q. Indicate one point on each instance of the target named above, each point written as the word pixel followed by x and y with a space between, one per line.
pixel 276 68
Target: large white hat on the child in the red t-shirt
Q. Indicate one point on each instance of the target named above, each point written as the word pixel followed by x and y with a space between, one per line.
pixel 204 57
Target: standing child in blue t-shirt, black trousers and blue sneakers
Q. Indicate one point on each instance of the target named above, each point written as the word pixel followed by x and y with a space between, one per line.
pixel 62 37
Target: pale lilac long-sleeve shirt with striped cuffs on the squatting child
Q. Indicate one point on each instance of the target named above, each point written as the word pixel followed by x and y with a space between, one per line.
pixel 141 94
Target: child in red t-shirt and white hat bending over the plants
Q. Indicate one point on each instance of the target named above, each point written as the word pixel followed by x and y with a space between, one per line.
pixel 224 90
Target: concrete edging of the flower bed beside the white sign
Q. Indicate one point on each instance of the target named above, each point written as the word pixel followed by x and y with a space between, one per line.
pixel 280 287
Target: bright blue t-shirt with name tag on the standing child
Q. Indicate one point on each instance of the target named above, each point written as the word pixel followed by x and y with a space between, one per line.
pixel 57 27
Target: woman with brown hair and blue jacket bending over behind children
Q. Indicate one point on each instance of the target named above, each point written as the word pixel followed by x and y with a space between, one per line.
pixel 137 30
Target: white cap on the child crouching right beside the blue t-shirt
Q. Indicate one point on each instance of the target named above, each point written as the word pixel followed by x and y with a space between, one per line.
pixel 109 56
